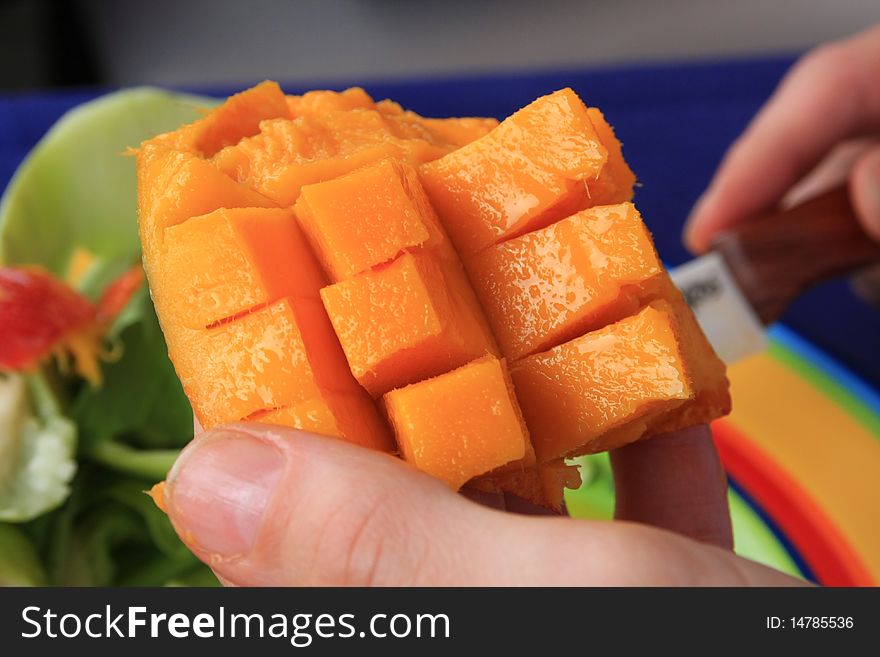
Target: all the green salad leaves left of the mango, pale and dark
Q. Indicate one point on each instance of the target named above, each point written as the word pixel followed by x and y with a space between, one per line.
pixel 75 459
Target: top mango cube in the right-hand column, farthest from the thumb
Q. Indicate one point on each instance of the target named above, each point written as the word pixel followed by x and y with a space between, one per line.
pixel 509 181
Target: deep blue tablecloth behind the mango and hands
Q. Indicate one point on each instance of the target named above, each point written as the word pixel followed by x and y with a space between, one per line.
pixel 675 121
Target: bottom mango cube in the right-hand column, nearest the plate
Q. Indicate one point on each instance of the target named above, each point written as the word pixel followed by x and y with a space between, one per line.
pixel 575 393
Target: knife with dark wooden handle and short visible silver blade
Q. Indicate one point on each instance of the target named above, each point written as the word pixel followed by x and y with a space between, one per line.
pixel 754 271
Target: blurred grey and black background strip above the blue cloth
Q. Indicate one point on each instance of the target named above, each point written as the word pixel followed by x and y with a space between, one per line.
pixel 46 43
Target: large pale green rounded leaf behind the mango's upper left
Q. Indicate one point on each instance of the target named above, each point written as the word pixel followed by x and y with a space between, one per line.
pixel 77 188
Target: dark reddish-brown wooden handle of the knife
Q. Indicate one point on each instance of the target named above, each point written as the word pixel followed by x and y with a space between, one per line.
pixel 777 257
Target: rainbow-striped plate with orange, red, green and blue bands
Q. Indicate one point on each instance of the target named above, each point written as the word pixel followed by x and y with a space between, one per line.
pixel 802 452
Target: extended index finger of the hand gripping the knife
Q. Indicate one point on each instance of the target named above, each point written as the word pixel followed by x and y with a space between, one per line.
pixel 831 95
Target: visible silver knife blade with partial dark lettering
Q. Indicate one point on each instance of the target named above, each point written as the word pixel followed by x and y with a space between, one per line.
pixel 722 310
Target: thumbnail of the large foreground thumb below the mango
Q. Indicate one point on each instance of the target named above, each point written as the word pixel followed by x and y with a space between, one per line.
pixel 220 489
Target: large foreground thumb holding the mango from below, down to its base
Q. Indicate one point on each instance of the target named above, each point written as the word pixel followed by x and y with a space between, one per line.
pixel 266 505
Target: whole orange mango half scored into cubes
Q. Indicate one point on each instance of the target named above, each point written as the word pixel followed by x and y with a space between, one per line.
pixel 310 254
